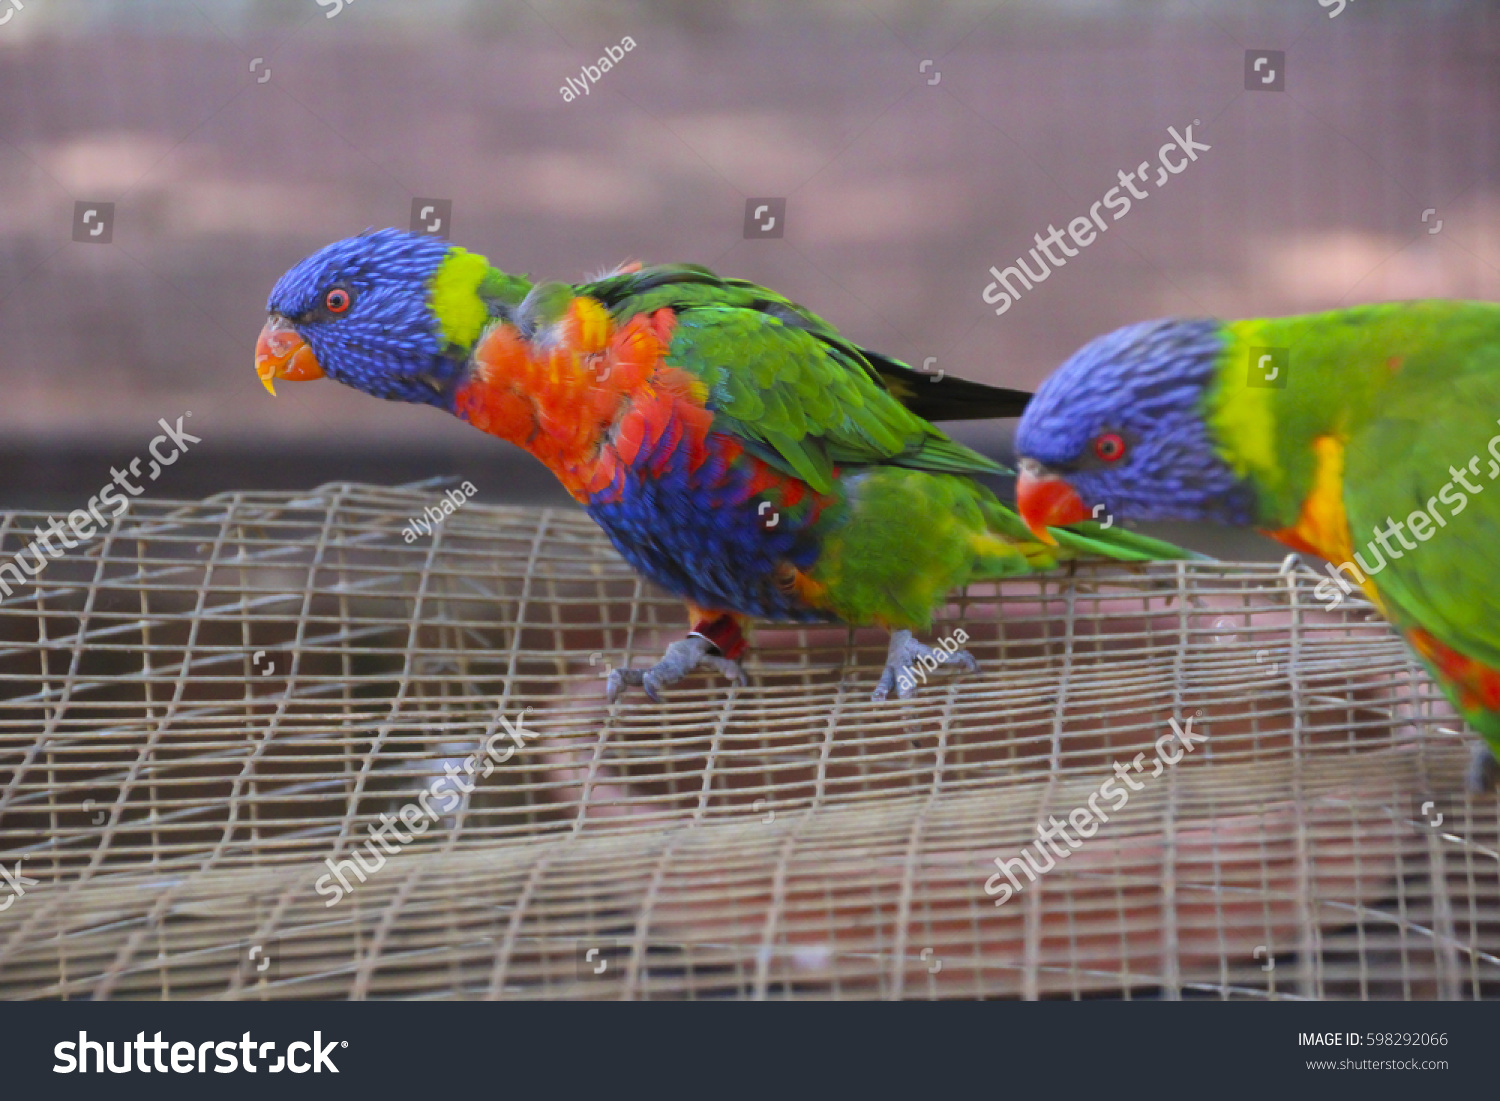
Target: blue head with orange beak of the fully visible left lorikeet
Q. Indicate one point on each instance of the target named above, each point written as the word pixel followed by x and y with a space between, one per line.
pixel 361 313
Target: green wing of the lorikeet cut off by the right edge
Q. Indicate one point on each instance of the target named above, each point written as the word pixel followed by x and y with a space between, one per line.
pixel 1439 413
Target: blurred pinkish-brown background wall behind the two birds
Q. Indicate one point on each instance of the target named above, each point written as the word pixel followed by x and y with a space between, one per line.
pixel 904 184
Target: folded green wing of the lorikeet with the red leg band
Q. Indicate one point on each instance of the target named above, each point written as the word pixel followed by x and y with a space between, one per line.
pixel 790 386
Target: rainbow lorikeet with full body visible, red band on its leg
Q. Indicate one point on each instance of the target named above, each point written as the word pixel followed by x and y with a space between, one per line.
pixel 737 451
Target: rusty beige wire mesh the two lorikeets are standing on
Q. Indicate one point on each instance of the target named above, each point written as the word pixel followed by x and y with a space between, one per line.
pixel 212 706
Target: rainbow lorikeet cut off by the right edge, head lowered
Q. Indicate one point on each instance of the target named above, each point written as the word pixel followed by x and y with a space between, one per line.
pixel 1358 436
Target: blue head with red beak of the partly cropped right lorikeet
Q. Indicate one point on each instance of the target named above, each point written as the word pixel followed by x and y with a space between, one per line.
pixel 1121 428
